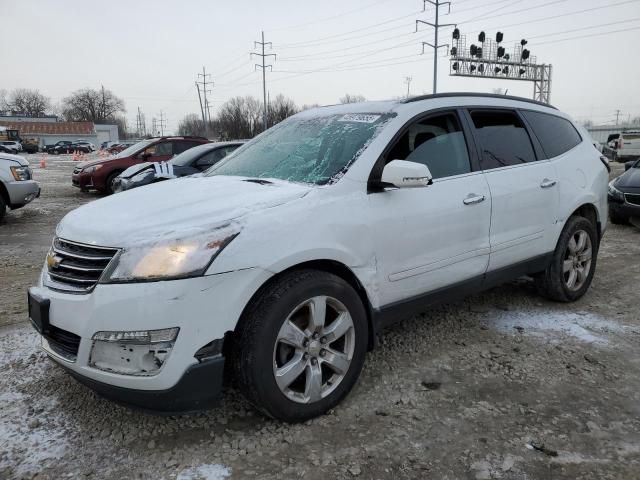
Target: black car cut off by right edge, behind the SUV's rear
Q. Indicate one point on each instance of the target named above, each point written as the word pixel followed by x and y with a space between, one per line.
pixel 624 195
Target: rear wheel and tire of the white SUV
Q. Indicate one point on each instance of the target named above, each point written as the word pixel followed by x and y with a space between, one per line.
pixel 569 275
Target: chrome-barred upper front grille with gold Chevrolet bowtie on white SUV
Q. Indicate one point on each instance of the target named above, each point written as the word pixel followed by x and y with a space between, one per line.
pixel 77 267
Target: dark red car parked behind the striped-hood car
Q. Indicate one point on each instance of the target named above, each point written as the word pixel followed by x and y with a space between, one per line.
pixel 100 175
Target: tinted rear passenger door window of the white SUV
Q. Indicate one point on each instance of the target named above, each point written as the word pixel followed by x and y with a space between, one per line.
pixel 504 140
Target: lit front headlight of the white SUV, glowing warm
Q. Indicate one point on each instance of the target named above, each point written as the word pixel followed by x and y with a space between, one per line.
pixel 173 259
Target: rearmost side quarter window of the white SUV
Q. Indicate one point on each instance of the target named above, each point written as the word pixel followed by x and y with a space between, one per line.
pixel 557 135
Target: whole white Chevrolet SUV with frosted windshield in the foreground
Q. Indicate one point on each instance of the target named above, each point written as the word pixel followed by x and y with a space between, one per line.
pixel 287 258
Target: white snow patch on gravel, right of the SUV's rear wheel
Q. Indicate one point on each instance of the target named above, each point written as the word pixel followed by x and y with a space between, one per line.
pixel 552 325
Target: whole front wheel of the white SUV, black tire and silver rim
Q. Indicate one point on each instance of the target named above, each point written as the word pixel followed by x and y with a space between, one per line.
pixel 300 345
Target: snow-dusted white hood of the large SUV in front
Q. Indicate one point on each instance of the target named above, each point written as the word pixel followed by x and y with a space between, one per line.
pixel 175 209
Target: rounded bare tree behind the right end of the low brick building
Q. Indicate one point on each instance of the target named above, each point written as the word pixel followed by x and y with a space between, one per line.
pixel 88 105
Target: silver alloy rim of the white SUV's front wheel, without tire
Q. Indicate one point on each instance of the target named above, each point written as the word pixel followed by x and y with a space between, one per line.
pixel 314 349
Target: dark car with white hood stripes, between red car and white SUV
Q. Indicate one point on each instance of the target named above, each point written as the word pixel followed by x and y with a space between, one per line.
pixel 195 160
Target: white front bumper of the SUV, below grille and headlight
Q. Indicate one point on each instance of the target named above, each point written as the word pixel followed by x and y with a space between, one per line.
pixel 204 308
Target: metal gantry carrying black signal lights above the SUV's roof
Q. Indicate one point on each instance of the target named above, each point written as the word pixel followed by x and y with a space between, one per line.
pixel 487 58
